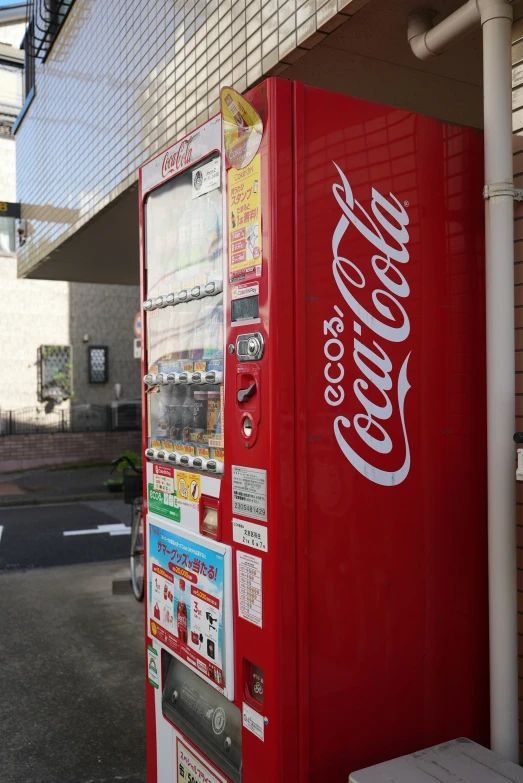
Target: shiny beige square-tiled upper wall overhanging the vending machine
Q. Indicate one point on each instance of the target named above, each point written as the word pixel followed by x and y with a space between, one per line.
pixel 126 77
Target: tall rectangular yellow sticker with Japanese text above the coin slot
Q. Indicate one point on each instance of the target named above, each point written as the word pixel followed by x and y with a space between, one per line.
pixel 244 199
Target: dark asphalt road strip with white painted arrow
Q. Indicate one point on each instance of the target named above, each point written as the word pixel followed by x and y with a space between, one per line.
pixel 63 534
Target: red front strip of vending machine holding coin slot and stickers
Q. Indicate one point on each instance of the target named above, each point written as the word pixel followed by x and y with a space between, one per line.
pixel 258 503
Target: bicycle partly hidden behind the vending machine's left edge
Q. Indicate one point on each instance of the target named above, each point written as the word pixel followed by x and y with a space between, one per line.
pixel 132 494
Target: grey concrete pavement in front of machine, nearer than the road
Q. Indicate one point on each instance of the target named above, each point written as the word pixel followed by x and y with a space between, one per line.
pixel 72 679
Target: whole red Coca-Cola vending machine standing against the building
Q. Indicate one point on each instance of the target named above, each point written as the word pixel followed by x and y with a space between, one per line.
pixel 314 433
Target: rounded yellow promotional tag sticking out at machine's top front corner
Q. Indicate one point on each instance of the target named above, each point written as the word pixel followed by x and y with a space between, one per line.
pixel 242 127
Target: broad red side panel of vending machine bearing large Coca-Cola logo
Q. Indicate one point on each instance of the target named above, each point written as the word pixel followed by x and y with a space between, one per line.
pixel 393 636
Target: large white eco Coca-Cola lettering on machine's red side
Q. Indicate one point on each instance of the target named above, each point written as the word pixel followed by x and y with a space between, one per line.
pixel 375 435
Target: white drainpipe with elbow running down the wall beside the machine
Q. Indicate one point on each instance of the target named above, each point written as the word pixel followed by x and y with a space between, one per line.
pixel 426 41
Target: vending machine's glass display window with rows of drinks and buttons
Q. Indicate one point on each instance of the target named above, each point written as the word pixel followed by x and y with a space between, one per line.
pixel 184 308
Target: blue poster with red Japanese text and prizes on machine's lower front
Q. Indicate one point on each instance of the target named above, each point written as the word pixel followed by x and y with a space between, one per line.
pixel 185 600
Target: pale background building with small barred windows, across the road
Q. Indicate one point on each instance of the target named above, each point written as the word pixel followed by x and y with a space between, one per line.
pixel 66 320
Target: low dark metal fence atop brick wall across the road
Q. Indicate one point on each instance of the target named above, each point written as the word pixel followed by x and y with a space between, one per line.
pixel 115 417
